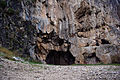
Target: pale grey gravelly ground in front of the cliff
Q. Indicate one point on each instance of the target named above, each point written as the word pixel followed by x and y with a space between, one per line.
pixel 12 70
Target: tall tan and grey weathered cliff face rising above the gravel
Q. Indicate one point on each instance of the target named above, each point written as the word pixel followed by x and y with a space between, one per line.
pixel 79 28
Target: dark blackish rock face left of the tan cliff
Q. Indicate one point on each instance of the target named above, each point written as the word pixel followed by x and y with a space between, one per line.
pixel 15 32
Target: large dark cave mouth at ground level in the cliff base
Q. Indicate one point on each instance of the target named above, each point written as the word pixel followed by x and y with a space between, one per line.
pixel 60 58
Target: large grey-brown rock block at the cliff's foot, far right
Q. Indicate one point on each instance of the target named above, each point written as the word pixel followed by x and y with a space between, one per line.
pixel 109 53
